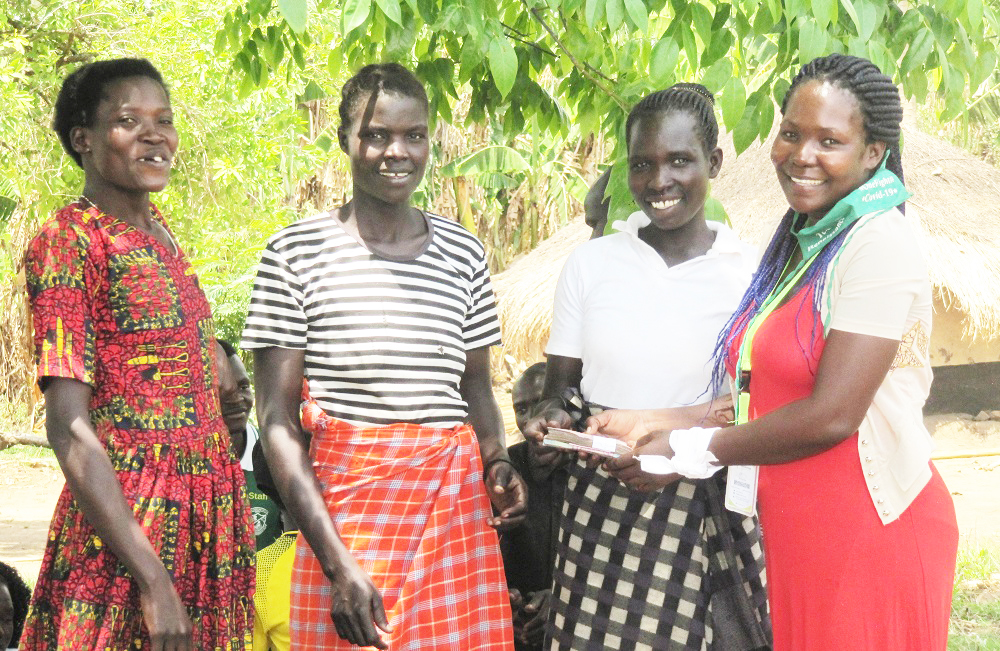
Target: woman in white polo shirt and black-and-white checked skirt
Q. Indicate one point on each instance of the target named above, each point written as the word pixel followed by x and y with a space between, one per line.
pixel 641 564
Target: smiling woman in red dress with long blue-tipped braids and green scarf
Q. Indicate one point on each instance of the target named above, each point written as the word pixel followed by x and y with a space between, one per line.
pixel 831 347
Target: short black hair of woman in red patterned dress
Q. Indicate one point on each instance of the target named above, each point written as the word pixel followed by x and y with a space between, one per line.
pixel 83 90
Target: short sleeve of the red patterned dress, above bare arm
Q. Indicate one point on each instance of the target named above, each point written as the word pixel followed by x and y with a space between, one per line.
pixel 61 277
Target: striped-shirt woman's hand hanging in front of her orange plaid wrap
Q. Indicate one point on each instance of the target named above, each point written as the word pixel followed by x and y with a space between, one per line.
pixel 356 606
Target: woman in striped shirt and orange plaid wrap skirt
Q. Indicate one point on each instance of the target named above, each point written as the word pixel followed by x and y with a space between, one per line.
pixel 388 312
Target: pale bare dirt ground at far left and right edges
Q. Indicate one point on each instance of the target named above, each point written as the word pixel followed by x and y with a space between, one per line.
pixel 29 490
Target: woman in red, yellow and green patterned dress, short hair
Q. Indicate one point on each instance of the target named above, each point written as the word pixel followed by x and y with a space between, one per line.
pixel 150 545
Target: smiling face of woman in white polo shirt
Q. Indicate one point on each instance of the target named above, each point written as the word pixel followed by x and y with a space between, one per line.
pixel 669 170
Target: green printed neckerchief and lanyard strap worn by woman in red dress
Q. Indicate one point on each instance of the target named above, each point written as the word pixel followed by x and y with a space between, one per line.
pixel 881 192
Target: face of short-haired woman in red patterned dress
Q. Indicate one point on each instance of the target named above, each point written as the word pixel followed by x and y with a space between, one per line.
pixel 132 140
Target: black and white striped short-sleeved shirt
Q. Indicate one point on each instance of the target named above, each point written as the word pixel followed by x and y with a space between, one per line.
pixel 385 340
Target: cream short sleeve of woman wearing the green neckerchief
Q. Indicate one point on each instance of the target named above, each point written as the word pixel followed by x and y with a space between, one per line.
pixel 878 279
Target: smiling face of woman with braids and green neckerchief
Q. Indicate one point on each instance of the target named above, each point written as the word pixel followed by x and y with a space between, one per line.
pixel 820 153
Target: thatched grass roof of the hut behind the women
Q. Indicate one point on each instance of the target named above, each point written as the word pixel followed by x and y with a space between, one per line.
pixel 956 197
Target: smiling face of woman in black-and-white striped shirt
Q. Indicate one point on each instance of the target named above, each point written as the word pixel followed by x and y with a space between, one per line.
pixel 387 142
